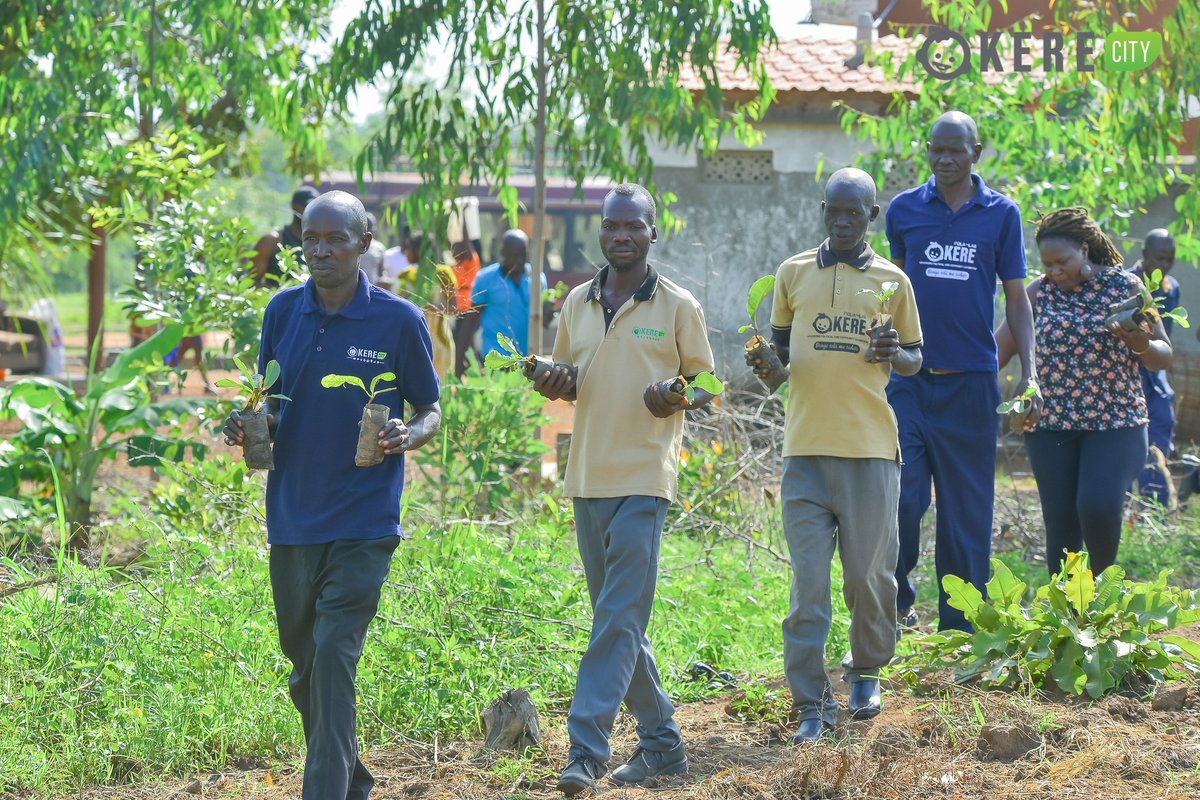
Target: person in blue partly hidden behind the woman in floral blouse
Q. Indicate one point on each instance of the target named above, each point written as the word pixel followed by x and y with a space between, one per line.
pixel 1159 254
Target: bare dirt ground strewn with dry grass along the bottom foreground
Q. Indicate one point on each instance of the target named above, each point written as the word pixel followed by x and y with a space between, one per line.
pixel 920 748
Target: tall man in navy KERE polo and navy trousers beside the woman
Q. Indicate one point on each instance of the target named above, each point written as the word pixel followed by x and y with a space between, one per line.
pixel 955 237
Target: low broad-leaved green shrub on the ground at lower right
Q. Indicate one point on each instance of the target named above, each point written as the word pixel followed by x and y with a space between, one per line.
pixel 1088 635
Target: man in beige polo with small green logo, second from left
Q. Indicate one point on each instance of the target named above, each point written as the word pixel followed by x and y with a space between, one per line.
pixel 627 332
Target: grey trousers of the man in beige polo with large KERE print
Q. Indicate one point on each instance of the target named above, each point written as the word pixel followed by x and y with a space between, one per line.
pixel 849 504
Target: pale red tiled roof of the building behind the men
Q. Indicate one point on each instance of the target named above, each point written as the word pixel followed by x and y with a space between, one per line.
pixel 813 65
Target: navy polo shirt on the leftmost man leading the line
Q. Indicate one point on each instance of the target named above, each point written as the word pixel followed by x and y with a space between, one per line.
pixel 316 495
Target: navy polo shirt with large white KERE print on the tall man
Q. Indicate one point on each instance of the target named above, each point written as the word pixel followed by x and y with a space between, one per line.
pixel 953 261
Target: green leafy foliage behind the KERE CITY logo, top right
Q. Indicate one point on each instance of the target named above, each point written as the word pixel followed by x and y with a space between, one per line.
pixel 1106 140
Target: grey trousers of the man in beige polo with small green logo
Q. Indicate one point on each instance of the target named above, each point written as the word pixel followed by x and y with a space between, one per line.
pixel 620 548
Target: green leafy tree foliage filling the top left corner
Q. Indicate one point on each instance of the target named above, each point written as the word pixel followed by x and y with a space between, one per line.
pixel 80 81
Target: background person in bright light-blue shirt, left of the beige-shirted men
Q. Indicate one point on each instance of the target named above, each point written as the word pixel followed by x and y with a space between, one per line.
pixel 501 296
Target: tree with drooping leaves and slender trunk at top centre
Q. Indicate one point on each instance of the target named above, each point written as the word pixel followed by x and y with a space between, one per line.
pixel 590 85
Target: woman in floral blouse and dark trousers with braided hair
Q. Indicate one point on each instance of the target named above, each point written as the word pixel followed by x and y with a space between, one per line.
pixel 1090 442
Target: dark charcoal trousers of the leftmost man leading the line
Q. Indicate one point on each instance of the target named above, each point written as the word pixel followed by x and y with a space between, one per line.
pixel 326 596
